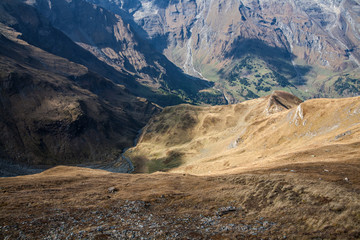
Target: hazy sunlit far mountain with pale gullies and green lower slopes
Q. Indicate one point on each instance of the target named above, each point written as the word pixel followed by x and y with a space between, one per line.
pixel 249 48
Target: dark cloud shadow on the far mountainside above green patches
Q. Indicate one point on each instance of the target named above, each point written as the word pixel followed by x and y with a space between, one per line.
pixel 278 60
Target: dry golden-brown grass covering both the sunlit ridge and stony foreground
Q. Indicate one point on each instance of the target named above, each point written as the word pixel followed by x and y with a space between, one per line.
pixel 293 174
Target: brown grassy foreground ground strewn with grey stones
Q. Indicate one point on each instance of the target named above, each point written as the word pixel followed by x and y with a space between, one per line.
pixel 318 201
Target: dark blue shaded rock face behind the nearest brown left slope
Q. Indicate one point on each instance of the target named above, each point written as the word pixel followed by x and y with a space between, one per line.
pixel 38 31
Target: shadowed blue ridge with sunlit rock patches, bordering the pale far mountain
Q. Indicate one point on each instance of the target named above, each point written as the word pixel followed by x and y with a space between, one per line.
pixel 113 41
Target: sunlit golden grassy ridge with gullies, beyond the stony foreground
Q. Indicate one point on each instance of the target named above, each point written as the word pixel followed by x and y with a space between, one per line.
pixel 268 132
